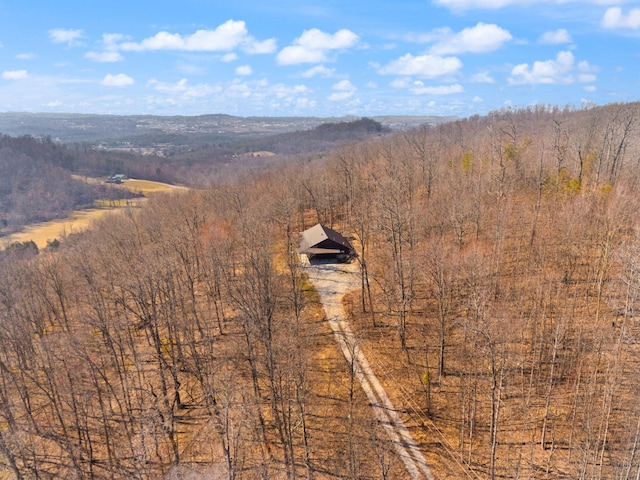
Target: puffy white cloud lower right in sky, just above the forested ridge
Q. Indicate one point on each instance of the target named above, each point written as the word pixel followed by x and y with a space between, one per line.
pixel 558 71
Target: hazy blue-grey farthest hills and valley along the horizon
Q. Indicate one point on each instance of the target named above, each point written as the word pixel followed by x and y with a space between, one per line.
pixel 147 130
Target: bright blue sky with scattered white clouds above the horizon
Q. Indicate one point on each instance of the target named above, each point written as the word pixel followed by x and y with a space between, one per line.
pixel 315 58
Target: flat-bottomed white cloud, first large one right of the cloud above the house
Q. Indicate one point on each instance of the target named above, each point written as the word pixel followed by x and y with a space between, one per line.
pixel 483 38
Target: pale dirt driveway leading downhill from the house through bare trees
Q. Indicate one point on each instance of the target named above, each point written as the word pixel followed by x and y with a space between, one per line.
pixel 332 281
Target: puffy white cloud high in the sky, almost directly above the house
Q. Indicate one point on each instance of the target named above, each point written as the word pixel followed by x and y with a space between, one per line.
pixel 314 45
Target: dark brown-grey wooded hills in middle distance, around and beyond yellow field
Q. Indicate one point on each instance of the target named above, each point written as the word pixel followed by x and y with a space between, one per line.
pixel 36 185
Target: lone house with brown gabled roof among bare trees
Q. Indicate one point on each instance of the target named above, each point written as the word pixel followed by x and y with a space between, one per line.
pixel 320 242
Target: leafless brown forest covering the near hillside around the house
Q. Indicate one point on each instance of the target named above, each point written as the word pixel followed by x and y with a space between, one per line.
pixel 500 263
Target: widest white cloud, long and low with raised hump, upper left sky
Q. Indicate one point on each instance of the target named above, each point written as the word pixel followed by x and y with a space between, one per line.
pixel 226 37
